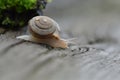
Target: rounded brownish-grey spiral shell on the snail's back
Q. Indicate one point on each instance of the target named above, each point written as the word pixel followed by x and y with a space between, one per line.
pixel 43 25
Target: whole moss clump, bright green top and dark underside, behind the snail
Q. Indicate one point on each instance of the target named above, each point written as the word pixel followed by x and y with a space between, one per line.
pixel 15 14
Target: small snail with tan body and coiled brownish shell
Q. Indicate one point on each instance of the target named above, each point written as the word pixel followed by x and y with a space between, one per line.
pixel 44 30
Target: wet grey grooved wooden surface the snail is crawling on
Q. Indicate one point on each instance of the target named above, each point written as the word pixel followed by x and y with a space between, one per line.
pixel 21 60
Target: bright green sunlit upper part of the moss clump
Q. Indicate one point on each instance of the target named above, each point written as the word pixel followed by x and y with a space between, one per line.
pixel 19 5
